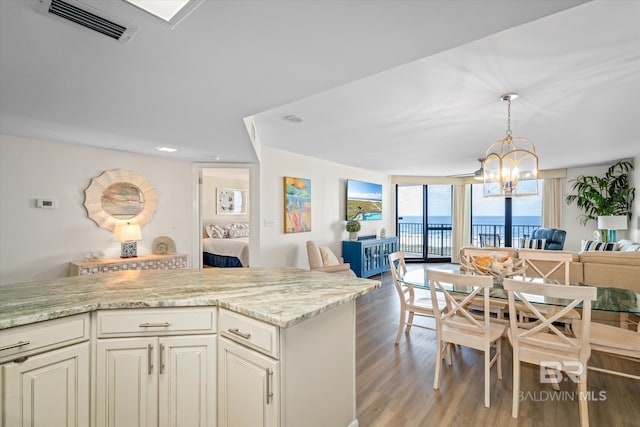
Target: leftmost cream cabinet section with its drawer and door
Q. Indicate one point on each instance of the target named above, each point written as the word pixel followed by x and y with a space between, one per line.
pixel 45 388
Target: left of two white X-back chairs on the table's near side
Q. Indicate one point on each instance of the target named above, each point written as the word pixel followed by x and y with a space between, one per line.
pixel 459 325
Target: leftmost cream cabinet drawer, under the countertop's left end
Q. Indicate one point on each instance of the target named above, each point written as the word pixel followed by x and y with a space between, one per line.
pixel 26 340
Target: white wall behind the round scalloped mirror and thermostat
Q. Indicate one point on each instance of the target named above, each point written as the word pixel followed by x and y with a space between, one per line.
pixel 38 244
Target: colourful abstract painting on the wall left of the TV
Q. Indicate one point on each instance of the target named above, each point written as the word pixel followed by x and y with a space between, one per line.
pixel 297 205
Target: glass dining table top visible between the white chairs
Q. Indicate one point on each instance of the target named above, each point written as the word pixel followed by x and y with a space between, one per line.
pixel 608 298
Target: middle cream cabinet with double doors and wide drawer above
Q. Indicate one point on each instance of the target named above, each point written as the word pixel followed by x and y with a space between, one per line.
pixel 153 375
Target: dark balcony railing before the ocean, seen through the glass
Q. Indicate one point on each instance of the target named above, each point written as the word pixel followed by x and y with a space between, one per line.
pixel 410 237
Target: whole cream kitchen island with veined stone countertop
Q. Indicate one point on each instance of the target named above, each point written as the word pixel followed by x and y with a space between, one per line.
pixel 274 346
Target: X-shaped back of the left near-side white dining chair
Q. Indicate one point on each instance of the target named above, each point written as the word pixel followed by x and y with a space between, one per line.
pixel 458 313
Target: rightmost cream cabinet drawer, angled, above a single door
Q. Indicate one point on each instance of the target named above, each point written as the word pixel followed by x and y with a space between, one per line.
pixel 251 332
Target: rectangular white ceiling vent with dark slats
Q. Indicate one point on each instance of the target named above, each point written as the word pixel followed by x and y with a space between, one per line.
pixel 88 17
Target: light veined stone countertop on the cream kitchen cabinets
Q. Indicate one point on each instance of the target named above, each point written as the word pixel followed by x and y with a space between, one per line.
pixel 280 296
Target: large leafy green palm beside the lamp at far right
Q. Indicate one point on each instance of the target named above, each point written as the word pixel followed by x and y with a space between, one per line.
pixel 607 195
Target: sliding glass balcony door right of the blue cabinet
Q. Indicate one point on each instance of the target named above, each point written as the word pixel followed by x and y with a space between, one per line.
pixel 424 215
